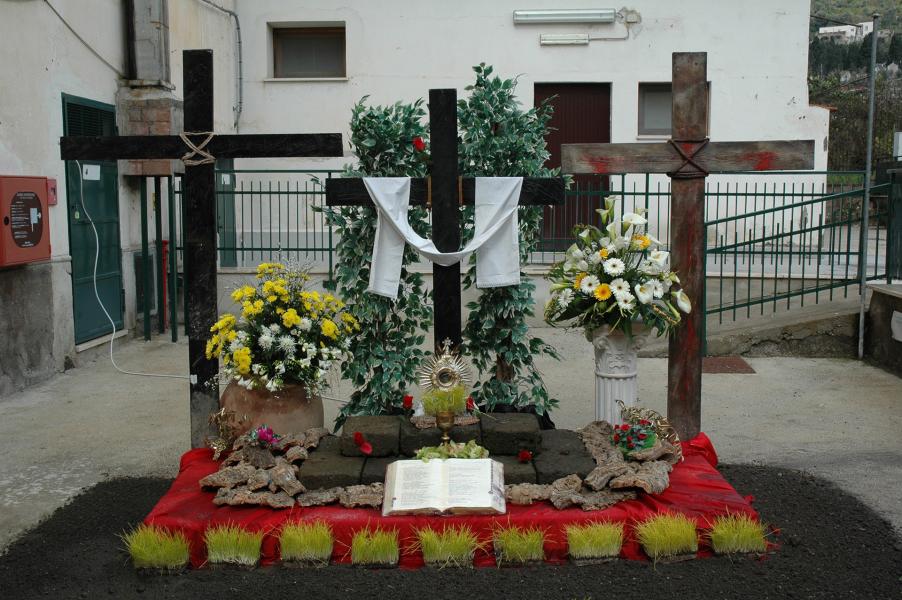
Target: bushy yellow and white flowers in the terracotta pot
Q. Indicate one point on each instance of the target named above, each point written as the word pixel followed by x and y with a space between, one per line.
pixel 285 334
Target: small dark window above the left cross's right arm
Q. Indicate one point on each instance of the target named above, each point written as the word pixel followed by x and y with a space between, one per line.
pixel 309 52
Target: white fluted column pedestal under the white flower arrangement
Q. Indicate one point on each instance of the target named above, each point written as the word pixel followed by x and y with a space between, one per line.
pixel 615 369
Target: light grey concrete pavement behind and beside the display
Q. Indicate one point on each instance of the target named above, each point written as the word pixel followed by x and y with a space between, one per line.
pixel 836 418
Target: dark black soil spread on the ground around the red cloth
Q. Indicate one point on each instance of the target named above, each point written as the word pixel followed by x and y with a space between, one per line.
pixel 831 546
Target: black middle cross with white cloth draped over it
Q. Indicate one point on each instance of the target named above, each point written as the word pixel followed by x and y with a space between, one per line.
pixel 448 191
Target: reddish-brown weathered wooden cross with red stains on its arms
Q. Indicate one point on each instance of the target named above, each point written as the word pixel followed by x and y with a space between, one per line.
pixel 687 158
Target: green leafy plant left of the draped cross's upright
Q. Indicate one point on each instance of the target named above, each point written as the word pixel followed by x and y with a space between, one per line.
pixel 387 349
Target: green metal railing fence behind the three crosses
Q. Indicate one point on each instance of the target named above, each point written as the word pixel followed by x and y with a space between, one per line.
pixel 774 240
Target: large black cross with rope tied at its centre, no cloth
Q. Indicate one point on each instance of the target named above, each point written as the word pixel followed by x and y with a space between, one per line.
pixel 200 207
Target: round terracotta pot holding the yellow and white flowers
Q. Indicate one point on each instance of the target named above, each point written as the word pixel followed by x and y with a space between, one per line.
pixel 288 410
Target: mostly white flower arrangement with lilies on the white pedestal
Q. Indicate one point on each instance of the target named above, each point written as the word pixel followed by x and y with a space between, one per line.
pixel 615 275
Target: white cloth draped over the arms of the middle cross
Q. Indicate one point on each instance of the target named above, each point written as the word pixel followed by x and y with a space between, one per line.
pixel 495 238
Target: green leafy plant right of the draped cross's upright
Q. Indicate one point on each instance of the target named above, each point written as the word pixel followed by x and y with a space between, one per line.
pixel 499 138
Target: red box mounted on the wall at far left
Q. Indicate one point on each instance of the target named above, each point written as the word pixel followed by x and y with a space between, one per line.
pixel 24 222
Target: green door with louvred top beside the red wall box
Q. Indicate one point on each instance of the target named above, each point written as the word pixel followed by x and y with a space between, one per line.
pixel 95 193
